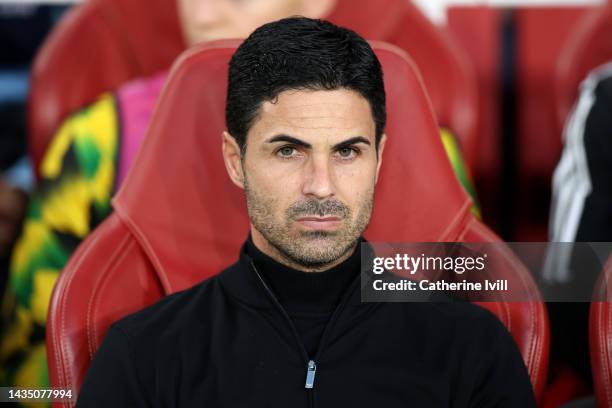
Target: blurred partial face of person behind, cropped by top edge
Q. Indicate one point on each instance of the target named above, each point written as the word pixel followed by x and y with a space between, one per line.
pixel 208 20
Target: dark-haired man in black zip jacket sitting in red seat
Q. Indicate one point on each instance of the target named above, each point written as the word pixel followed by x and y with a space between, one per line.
pixel 284 325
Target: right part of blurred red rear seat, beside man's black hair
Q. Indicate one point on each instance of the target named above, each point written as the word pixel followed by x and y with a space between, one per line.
pixel 447 72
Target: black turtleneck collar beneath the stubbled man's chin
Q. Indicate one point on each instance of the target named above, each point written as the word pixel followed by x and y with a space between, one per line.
pixel 300 291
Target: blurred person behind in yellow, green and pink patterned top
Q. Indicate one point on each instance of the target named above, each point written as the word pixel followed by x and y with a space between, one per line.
pixel 84 166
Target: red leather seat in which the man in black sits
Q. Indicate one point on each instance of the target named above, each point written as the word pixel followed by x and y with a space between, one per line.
pixel 178 219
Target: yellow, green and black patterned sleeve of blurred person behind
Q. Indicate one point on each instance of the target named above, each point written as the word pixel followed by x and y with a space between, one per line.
pixel 77 177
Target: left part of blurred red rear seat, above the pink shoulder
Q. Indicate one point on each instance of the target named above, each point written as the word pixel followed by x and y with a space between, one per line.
pixel 96 47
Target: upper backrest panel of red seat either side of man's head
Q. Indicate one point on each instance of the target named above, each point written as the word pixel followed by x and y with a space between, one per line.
pixel 189 218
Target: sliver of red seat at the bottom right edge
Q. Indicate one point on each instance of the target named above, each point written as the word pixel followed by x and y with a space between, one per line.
pixel 600 337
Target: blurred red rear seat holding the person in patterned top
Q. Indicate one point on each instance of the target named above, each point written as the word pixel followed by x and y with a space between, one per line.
pixel 137 38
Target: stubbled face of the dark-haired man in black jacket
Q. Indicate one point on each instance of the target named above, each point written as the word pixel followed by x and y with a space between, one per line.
pixel 309 173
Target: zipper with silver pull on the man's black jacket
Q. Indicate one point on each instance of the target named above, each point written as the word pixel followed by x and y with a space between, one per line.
pixel 311 365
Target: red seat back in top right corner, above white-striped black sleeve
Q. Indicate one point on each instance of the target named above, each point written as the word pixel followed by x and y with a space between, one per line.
pixel 588 47
